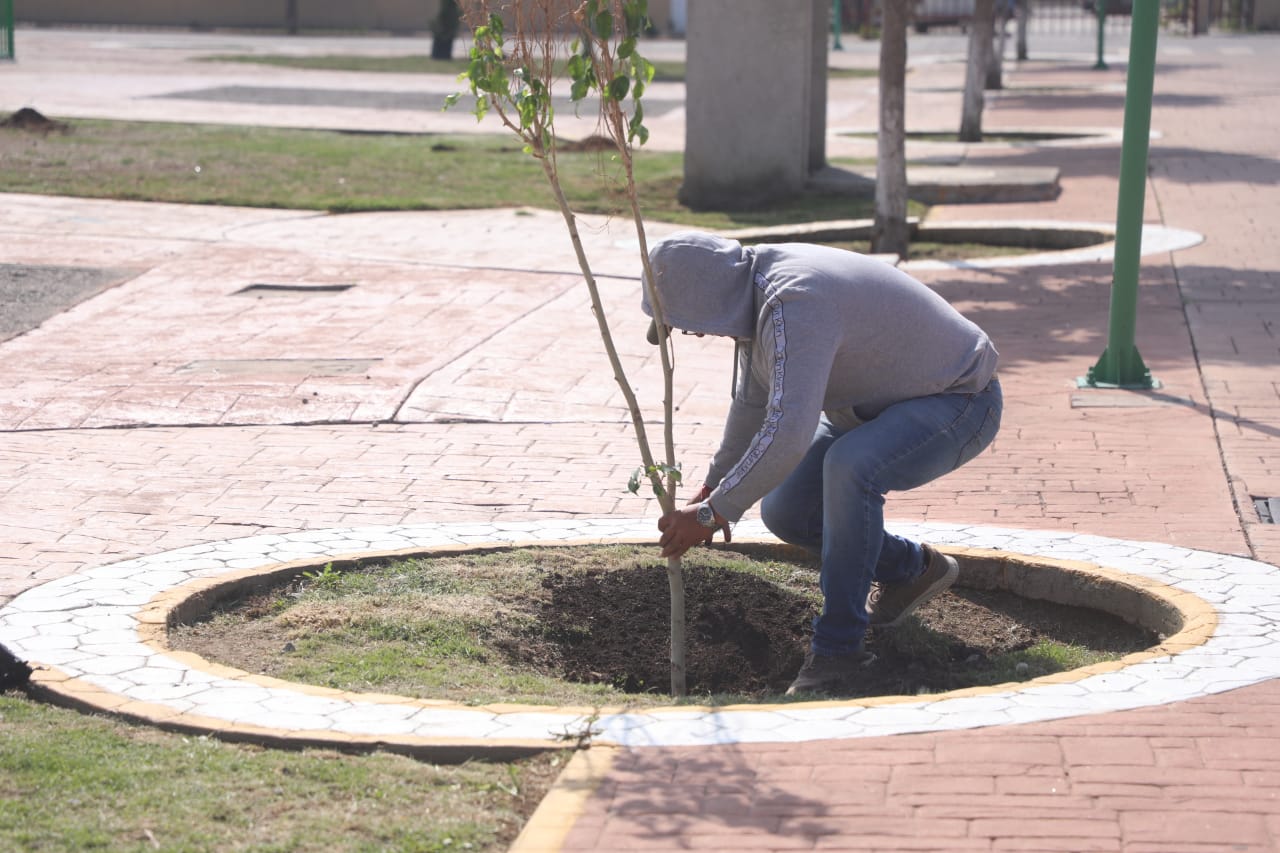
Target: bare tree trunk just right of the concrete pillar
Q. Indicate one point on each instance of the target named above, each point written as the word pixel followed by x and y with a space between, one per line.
pixel 892 232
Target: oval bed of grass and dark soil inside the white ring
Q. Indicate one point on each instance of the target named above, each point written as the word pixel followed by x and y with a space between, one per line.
pixel 587 626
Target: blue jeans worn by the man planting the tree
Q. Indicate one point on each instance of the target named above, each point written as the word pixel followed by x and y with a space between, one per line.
pixel 834 503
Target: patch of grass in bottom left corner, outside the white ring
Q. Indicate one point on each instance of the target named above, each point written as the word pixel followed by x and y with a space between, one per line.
pixel 72 782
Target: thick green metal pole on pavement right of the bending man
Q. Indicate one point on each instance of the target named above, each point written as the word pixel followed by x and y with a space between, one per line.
pixel 1121 366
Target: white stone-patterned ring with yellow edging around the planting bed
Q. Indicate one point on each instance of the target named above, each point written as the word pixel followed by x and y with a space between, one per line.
pixel 98 642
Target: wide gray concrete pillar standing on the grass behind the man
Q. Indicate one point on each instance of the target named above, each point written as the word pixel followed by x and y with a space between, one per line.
pixel 756 101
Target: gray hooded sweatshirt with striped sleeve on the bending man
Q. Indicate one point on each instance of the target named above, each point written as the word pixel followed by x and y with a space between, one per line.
pixel 821 331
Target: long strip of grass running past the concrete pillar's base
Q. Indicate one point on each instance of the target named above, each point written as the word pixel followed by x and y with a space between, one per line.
pixel 346 172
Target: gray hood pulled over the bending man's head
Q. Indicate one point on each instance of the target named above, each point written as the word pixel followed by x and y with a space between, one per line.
pixel 703 284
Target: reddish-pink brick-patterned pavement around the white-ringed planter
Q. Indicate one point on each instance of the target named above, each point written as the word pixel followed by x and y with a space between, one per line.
pixel 438 434
